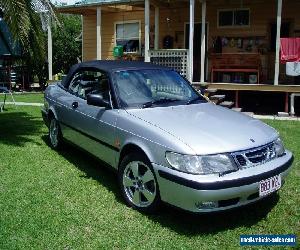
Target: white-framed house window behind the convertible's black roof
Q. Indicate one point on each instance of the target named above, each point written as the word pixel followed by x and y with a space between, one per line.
pixel 128 36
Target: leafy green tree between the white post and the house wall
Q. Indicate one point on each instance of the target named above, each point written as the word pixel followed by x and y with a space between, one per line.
pixel 66 49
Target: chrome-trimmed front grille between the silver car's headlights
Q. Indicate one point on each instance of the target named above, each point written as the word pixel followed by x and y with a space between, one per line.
pixel 254 157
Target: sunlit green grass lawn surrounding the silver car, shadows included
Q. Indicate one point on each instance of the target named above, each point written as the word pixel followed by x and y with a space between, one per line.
pixel 67 200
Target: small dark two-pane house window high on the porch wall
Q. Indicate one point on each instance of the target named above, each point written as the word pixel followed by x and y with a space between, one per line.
pixel 234 18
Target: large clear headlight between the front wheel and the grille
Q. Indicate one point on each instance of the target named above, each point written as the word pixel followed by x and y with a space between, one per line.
pixel 193 164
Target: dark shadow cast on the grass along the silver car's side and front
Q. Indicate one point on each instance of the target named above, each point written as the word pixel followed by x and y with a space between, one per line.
pixel 177 220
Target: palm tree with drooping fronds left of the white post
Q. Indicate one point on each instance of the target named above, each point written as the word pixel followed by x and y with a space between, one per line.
pixel 24 21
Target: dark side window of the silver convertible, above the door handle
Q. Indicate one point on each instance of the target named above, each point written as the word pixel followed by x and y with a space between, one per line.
pixel 90 82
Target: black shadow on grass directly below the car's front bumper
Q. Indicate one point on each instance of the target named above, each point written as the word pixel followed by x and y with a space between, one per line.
pixel 197 224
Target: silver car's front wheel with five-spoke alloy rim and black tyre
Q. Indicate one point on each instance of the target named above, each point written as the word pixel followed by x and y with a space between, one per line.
pixel 139 184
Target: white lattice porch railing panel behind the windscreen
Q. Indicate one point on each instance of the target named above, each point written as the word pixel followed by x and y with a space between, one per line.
pixel 176 59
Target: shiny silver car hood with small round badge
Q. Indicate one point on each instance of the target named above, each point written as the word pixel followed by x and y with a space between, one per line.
pixel 207 128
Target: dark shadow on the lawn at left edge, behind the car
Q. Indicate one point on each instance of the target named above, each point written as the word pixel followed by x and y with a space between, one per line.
pixel 16 128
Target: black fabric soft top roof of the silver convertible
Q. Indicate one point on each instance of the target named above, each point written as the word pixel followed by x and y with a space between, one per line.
pixel 111 66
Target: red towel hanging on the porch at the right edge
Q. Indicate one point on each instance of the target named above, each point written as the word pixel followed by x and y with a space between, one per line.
pixel 289 50
